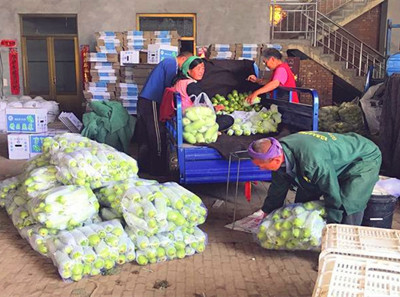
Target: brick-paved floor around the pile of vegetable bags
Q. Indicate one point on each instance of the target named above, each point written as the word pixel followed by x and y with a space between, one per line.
pixel 232 264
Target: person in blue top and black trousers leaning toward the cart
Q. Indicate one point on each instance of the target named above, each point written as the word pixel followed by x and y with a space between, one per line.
pixel 151 134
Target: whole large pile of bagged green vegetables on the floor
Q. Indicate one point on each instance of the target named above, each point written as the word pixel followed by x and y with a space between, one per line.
pixel 53 205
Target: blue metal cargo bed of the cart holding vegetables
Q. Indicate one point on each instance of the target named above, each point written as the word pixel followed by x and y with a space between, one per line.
pixel 202 164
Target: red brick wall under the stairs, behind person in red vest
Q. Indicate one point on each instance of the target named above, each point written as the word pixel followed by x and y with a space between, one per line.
pixel 312 75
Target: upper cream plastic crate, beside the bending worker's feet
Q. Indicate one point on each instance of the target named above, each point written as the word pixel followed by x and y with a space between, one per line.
pixel 367 242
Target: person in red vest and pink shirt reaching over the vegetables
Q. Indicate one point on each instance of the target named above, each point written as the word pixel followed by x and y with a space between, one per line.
pixel 282 75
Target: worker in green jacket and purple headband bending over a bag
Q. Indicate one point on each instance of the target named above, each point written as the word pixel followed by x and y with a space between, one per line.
pixel 341 167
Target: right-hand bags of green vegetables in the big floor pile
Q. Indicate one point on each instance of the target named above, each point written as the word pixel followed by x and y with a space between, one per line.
pixel 161 219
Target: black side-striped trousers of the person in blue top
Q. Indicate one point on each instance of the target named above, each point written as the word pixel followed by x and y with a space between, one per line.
pixel 151 139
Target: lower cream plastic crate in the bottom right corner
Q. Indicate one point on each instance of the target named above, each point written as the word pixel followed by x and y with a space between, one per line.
pixel 347 276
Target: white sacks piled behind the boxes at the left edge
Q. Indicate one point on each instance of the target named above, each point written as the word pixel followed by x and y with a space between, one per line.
pixel 27 102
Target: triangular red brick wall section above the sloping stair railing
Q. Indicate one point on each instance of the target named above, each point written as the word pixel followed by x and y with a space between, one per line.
pixel 366 27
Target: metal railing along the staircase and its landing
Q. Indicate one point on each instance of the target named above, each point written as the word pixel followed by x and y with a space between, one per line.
pixel 326 33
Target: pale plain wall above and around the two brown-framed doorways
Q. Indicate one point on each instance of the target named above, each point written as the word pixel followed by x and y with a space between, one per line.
pixel 218 21
